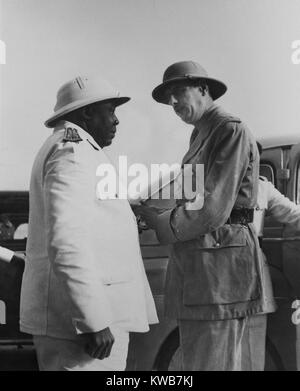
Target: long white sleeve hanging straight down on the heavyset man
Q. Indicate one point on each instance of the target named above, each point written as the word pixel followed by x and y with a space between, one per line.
pixel 69 196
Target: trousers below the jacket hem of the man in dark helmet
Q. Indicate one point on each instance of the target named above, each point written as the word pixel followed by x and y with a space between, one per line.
pixel 223 345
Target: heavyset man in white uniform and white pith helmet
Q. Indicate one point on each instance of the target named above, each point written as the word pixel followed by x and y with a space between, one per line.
pixel 84 286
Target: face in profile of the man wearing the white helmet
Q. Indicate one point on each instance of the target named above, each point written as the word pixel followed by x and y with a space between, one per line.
pixel 103 123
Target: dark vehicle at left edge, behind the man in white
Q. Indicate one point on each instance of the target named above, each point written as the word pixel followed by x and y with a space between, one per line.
pixel 16 348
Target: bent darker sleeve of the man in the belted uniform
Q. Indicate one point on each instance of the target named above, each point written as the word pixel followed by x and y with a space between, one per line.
pixel 229 161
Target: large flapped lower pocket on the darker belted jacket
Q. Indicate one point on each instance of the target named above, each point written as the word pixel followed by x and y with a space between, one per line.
pixel 221 268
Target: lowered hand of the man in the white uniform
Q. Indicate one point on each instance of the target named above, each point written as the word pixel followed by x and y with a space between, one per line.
pixel 99 344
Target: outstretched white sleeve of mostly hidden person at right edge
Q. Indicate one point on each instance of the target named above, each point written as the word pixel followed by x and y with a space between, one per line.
pixel 281 208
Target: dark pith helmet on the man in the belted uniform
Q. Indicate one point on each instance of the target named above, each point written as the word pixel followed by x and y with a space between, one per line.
pixel 187 70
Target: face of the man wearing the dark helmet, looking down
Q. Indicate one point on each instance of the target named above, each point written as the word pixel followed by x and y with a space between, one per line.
pixel 189 102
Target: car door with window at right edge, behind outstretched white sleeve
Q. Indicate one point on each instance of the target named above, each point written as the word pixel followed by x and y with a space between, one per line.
pixel 282 249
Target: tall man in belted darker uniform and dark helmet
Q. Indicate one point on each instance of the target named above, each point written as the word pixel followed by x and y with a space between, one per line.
pixel 214 282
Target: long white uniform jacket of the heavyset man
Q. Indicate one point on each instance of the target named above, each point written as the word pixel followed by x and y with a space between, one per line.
pixel 84 269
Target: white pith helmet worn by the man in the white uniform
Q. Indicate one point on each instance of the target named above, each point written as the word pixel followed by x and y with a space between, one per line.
pixel 81 92
